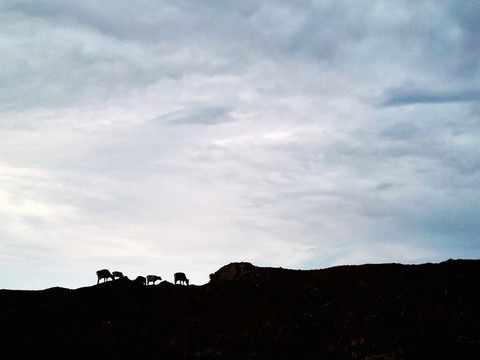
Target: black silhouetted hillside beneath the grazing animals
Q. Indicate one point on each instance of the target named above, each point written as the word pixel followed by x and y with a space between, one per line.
pixel 384 311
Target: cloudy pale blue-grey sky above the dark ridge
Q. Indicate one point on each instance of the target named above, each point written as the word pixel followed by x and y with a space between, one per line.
pixel 151 137
